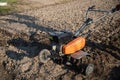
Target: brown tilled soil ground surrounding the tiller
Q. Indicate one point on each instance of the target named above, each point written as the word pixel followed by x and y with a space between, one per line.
pixel 24 34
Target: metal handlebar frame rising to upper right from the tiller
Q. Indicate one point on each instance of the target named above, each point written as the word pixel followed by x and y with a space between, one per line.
pixel 89 20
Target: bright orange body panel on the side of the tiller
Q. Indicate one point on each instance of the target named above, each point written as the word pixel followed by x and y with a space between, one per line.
pixel 74 45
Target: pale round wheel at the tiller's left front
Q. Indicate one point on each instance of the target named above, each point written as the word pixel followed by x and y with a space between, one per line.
pixel 44 56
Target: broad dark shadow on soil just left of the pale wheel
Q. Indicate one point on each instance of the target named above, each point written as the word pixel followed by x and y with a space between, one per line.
pixel 29 49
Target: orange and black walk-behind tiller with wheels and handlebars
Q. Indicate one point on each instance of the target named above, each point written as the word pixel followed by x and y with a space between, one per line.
pixel 67 43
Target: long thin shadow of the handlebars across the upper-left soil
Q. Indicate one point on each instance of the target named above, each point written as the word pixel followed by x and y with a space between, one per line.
pixel 29 21
